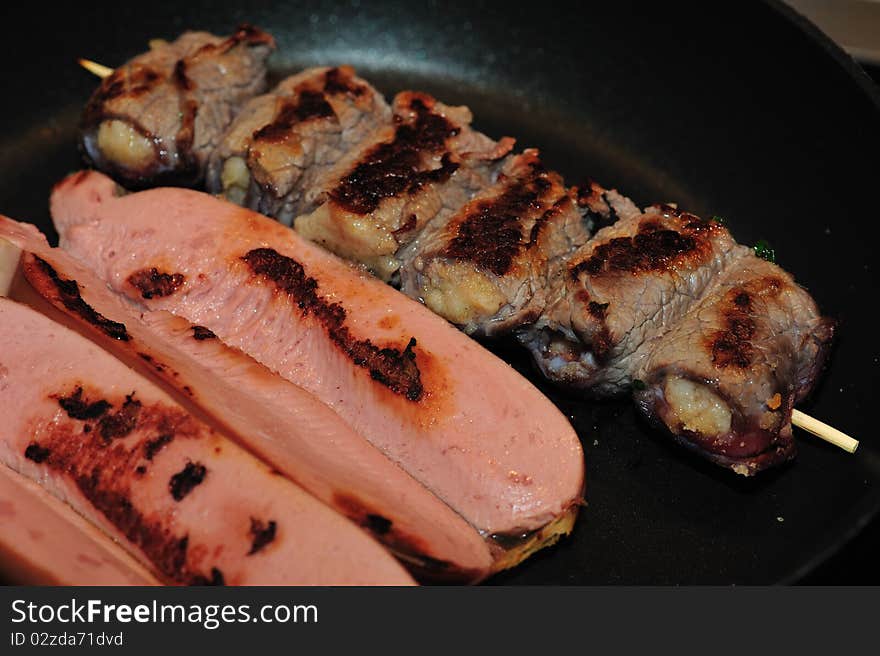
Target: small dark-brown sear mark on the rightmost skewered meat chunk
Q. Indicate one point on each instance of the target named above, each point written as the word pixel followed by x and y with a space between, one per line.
pixel 732 345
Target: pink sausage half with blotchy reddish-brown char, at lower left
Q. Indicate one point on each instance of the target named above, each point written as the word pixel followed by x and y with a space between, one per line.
pixel 177 494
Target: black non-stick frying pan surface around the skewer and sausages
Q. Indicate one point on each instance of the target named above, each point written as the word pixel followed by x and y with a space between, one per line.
pixel 738 109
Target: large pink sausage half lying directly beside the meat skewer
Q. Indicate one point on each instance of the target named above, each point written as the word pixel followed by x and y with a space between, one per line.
pixel 501 455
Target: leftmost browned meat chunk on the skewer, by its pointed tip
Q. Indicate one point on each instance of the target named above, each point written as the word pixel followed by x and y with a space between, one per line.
pixel 157 118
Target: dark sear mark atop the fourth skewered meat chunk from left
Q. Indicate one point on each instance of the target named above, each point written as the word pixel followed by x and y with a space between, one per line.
pixel 491 235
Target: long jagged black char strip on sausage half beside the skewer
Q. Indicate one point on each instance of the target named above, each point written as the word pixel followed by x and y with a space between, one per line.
pixel 394 368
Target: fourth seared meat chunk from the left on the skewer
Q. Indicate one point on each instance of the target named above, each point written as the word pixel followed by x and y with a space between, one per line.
pixel 486 267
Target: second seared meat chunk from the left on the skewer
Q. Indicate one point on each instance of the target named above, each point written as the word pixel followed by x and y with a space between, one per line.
pixel 282 142
